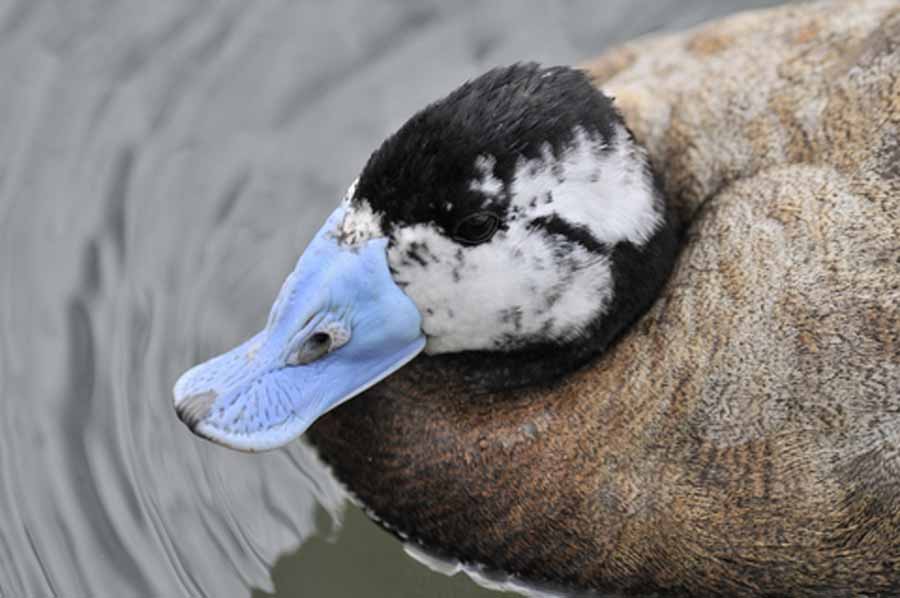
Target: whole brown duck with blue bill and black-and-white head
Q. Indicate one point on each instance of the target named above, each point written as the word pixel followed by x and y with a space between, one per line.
pixel 628 327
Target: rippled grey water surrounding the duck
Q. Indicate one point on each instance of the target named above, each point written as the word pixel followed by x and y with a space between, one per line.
pixel 162 165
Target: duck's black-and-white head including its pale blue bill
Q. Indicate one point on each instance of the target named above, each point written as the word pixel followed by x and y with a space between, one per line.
pixel 516 216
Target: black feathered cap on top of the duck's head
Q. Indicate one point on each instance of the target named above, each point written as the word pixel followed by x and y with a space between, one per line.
pixel 423 172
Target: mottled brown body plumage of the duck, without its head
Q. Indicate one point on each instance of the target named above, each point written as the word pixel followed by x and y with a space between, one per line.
pixel 744 436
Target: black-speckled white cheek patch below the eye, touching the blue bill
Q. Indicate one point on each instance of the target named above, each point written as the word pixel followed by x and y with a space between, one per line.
pixel 523 286
